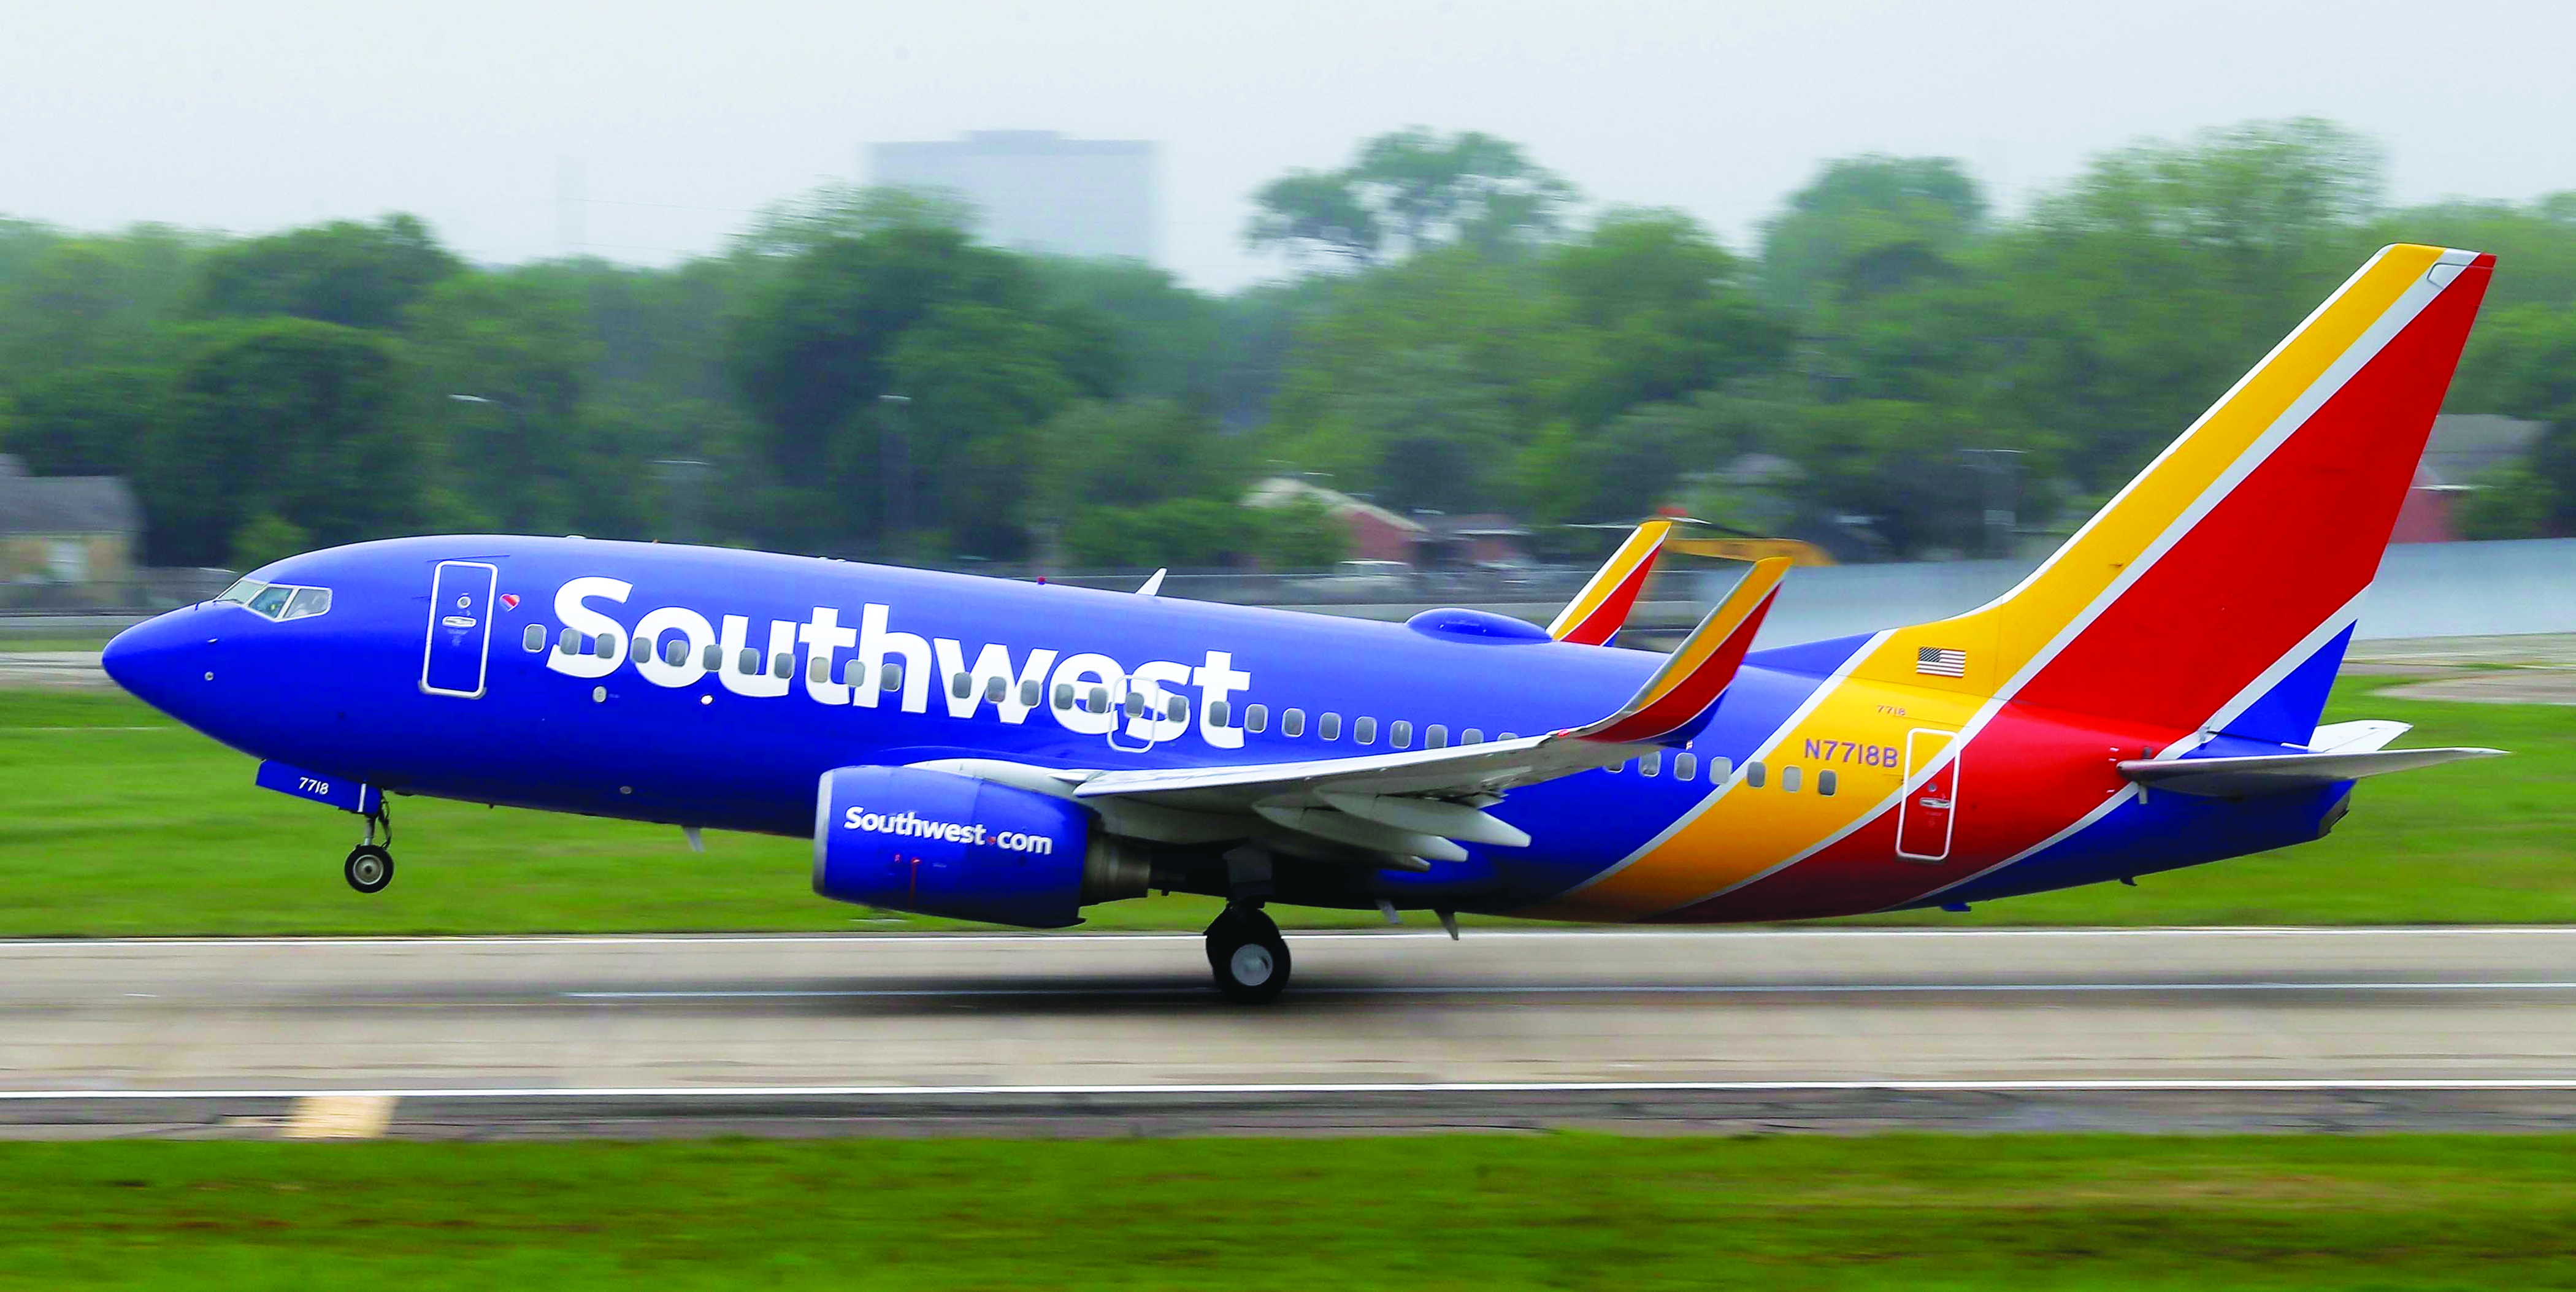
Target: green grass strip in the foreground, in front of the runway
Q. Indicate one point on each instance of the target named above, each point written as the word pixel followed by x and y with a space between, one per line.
pixel 1410 1214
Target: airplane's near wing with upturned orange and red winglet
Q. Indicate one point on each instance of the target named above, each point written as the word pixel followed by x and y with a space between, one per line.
pixel 1421 802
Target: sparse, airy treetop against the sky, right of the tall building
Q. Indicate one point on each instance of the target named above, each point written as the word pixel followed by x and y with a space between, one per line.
pixel 1410 192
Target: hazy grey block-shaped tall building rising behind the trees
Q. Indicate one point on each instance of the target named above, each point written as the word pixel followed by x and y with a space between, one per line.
pixel 1039 189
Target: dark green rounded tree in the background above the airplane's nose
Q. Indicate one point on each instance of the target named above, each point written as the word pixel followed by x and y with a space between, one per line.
pixel 282 418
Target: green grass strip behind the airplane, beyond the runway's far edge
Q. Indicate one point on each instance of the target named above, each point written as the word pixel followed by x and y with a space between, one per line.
pixel 161 833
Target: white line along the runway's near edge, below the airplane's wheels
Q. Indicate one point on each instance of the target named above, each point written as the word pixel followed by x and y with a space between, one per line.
pixel 1338 1087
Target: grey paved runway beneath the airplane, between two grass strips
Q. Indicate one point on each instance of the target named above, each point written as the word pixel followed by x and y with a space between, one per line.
pixel 1119 1033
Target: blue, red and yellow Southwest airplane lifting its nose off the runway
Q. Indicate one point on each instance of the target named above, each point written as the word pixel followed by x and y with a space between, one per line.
pixel 1014 753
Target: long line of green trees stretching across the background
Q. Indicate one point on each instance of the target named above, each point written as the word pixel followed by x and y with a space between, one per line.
pixel 1454 331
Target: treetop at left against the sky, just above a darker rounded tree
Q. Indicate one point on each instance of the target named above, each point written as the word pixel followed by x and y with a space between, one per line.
pixel 341 274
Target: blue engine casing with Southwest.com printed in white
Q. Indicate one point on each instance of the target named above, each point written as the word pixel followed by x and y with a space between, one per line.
pixel 965 848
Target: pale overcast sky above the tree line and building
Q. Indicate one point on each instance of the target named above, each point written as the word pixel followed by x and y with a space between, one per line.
pixel 679 120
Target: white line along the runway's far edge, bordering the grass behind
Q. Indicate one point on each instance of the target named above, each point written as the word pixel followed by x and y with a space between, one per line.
pixel 1315 936
